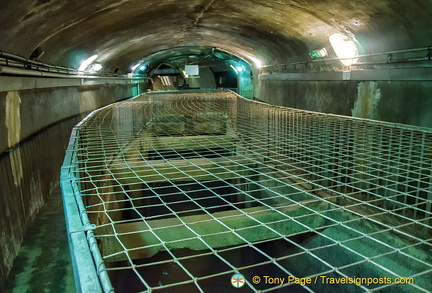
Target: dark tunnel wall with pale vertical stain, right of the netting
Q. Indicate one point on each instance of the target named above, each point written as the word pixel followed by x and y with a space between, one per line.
pixel 401 101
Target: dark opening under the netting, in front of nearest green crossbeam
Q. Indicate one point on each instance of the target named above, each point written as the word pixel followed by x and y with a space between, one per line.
pixel 162 270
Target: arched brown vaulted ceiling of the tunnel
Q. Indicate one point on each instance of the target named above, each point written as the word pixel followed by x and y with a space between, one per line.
pixel 124 31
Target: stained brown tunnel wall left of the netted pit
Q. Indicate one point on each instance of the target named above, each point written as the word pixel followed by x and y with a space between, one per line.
pixel 35 125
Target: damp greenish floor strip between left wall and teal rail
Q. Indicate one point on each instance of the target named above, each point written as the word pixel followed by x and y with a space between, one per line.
pixel 43 264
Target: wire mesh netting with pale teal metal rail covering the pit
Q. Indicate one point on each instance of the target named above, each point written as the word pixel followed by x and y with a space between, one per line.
pixel 298 193
